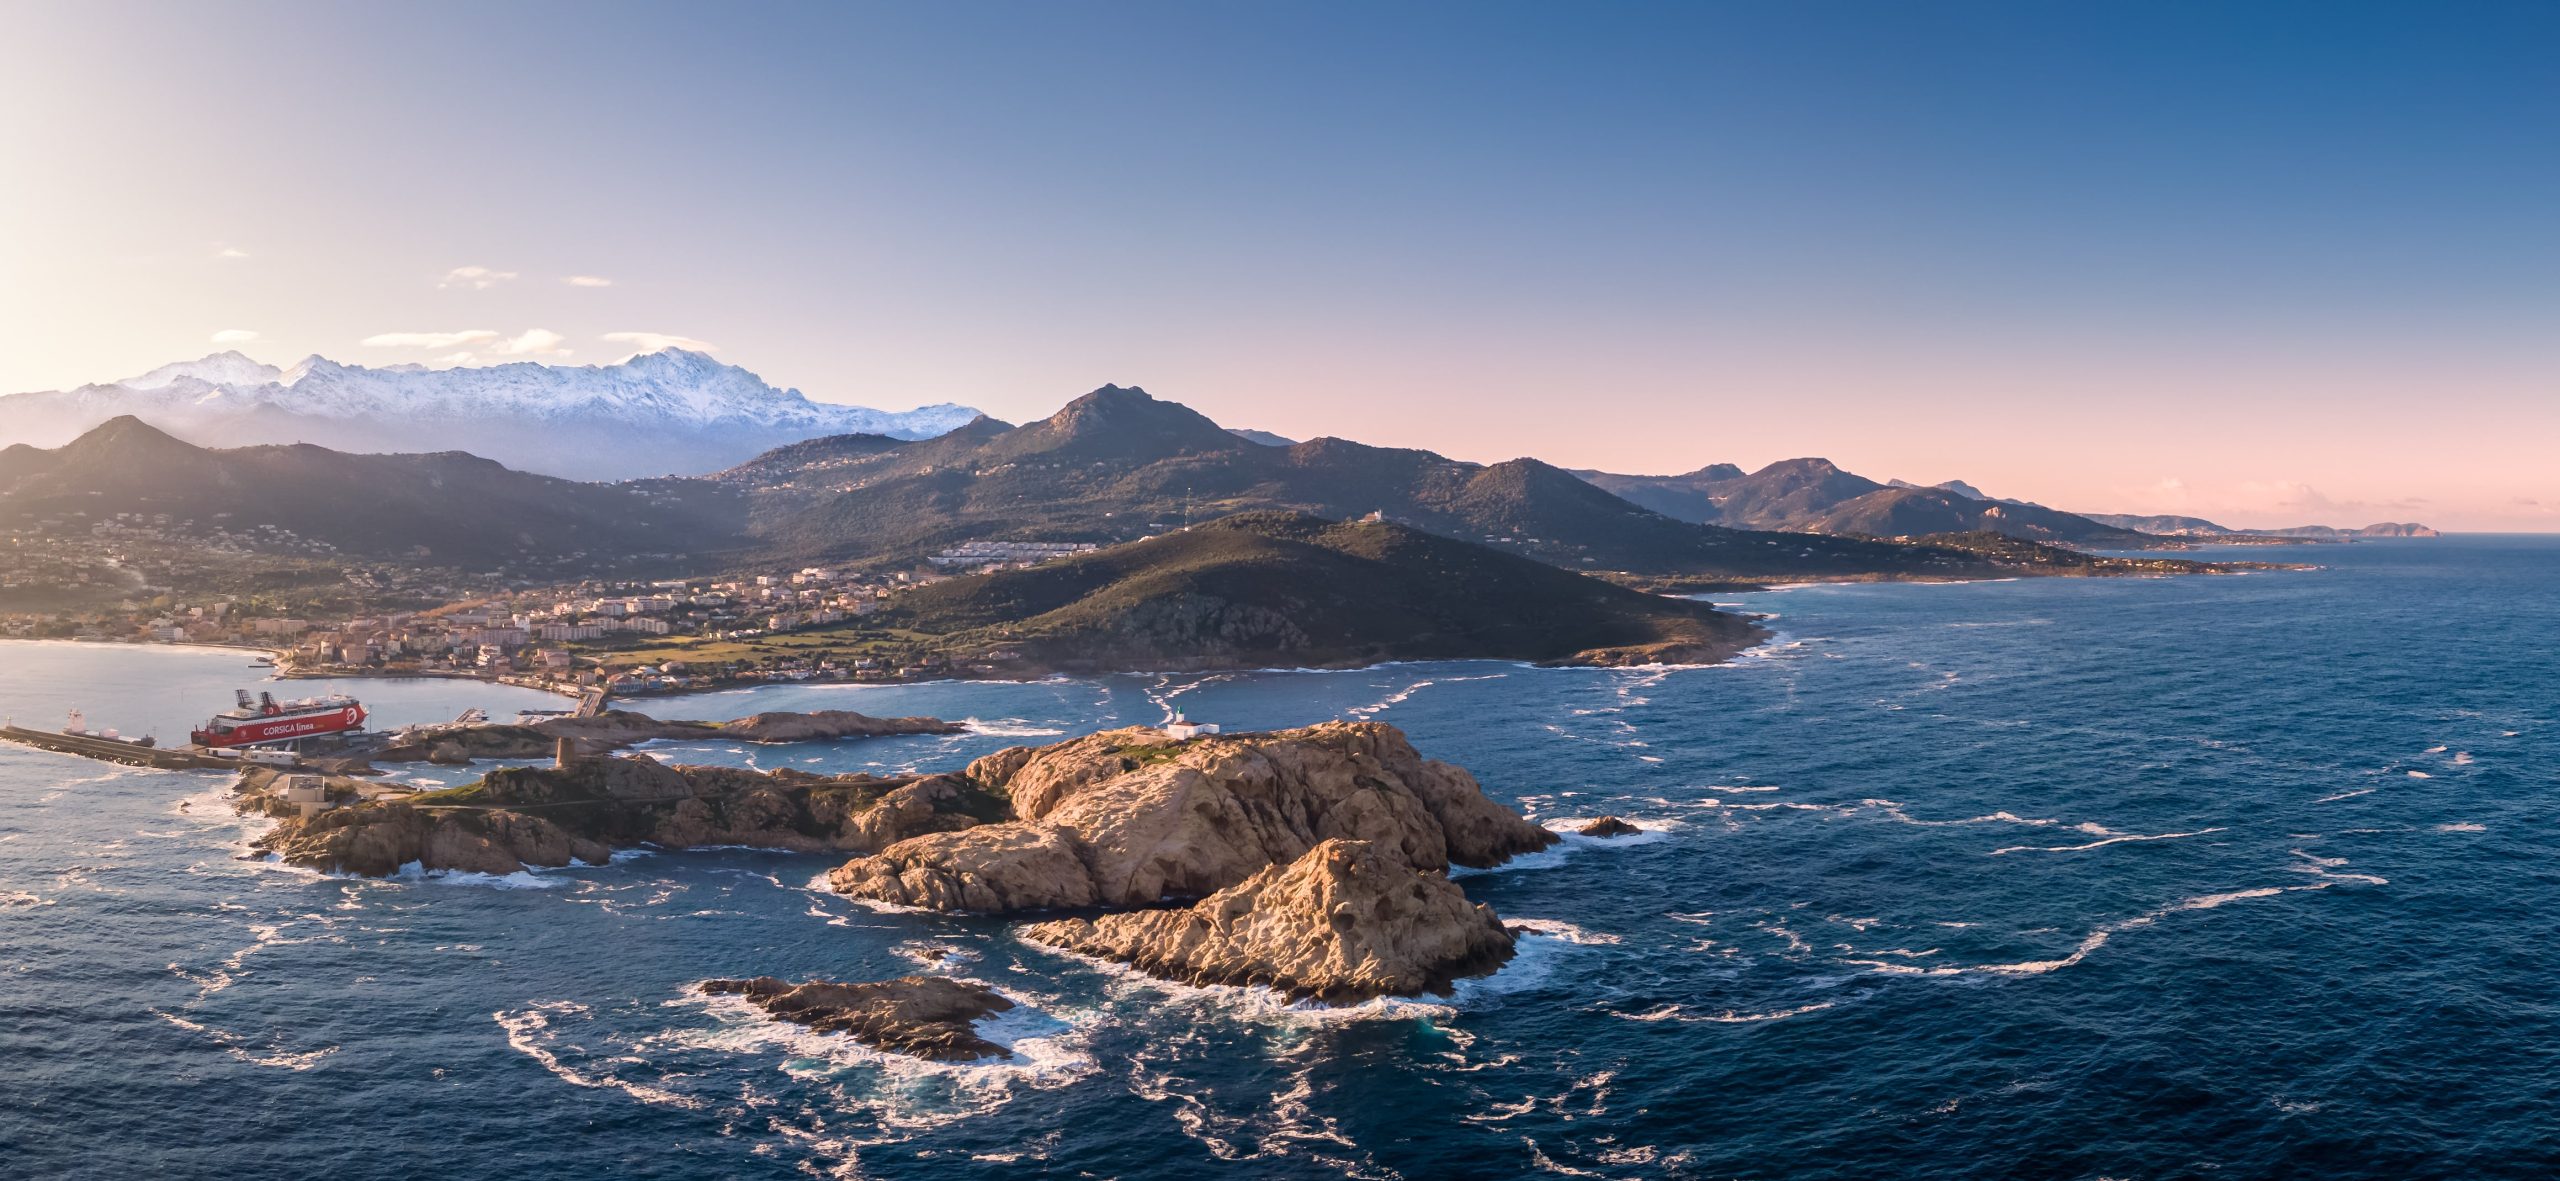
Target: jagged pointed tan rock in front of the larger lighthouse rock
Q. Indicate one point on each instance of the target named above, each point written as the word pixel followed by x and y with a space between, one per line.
pixel 1343 924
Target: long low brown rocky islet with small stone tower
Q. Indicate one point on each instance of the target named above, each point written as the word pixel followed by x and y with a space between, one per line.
pixel 544 816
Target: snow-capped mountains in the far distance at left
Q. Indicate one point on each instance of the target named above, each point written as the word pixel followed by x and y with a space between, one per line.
pixel 652 416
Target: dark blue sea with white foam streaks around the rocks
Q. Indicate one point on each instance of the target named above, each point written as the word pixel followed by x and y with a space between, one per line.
pixel 2036 880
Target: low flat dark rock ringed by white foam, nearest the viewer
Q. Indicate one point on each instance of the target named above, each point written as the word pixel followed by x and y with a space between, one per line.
pixel 918 1016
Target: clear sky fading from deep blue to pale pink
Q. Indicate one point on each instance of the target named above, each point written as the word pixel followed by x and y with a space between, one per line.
pixel 2267 263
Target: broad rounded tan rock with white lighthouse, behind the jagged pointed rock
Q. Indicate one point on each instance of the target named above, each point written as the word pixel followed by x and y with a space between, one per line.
pixel 1130 819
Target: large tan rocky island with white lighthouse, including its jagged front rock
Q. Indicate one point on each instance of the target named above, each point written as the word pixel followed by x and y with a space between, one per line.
pixel 1317 857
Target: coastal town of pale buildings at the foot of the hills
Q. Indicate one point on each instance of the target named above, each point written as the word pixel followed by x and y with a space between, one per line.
pixel 626 637
